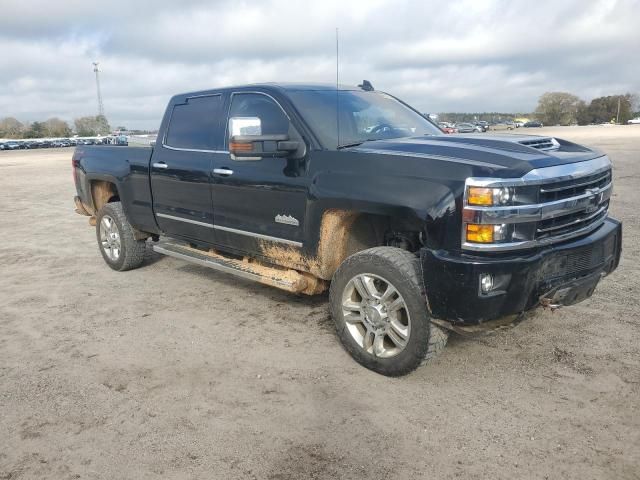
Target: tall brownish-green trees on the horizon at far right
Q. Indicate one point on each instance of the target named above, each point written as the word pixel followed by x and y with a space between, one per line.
pixel 563 108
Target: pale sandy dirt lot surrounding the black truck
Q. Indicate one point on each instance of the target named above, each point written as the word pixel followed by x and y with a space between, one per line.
pixel 175 371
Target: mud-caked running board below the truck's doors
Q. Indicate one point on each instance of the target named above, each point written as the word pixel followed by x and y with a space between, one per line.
pixel 285 279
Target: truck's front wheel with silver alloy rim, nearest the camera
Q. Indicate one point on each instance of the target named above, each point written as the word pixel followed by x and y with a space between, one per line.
pixel 360 321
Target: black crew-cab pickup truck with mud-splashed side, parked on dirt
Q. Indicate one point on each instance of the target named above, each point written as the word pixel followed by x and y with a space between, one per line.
pixel 313 187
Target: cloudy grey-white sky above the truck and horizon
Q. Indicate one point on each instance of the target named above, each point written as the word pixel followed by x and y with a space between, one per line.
pixel 454 55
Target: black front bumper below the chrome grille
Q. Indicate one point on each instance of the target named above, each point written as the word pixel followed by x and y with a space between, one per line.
pixel 562 274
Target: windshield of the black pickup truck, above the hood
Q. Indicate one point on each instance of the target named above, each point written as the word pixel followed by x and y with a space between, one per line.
pixel 363 116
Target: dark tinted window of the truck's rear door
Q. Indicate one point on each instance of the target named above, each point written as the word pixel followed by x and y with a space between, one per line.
pixel 197 124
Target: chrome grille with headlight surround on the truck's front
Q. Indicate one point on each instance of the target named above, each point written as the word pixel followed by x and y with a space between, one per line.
pixel 547 205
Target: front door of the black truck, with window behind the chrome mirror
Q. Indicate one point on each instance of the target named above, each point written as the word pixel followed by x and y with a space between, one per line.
pixel 262 199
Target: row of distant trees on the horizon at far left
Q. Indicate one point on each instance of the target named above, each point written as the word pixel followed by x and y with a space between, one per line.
pixel 54 127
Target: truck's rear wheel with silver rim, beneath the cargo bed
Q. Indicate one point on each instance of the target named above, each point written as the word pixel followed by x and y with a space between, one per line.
pixel 116 241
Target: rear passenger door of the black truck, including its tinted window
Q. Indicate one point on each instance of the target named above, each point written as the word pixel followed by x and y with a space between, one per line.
pixel 181 167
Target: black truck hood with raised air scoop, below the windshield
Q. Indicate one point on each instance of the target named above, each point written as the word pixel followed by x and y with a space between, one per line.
pixel 510 155
